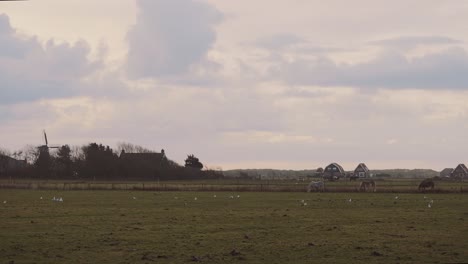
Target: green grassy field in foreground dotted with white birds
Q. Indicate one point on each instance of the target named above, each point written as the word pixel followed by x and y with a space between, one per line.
pixel 173 227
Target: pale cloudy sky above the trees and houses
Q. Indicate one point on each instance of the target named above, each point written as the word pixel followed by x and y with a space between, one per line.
pixel 294 84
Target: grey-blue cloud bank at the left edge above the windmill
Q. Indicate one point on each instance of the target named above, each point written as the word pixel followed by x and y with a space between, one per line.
pixel 29 71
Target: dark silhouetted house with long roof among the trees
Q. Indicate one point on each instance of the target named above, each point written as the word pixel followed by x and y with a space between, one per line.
pixel 142 165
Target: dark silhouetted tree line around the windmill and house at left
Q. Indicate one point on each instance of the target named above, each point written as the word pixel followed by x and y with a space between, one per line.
pixel 100 163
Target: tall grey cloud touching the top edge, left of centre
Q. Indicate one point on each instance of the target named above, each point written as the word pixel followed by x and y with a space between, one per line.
pixel 170 36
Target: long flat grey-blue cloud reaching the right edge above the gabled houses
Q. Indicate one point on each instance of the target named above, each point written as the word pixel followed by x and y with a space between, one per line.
pixel 444 70
